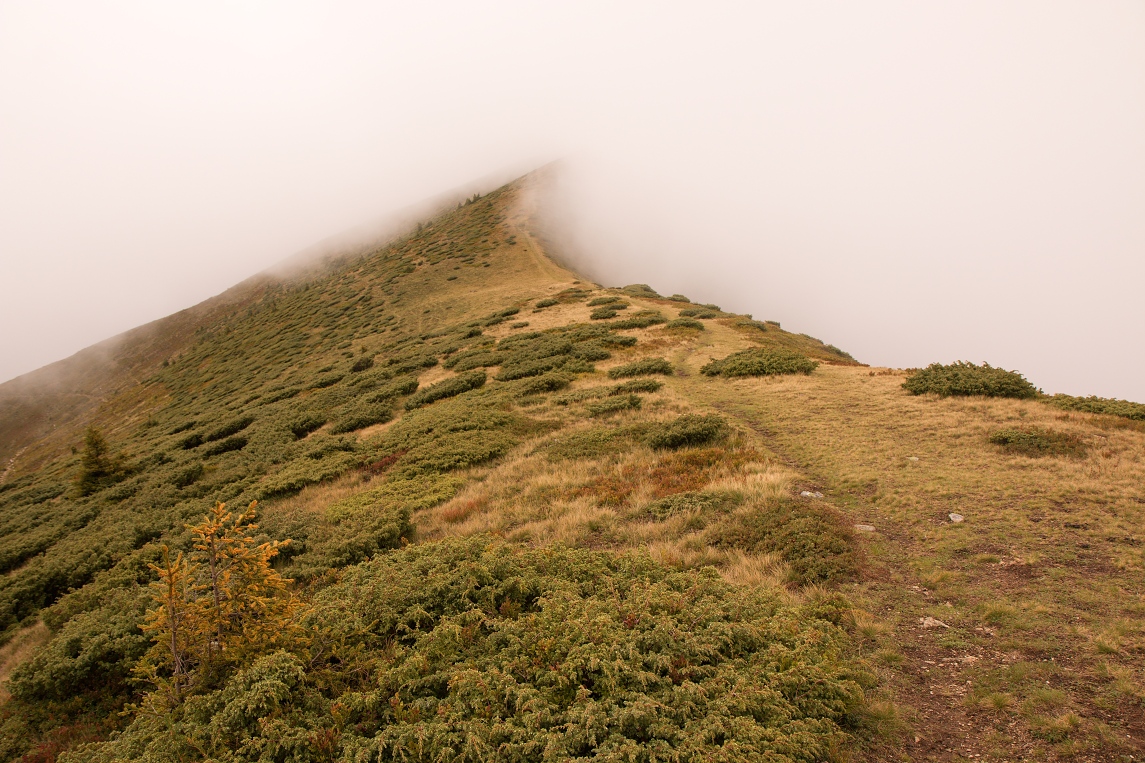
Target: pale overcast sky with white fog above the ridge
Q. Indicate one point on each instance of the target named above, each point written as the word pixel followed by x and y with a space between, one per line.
pixel 911 182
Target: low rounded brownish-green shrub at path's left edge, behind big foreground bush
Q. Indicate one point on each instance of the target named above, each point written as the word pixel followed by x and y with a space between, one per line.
pixel 814 539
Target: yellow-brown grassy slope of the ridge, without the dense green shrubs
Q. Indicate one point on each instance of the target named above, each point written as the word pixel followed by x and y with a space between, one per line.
pixel 1039 587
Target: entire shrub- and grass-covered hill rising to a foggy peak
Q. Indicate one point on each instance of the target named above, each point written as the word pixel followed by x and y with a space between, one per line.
pixel 445 500
